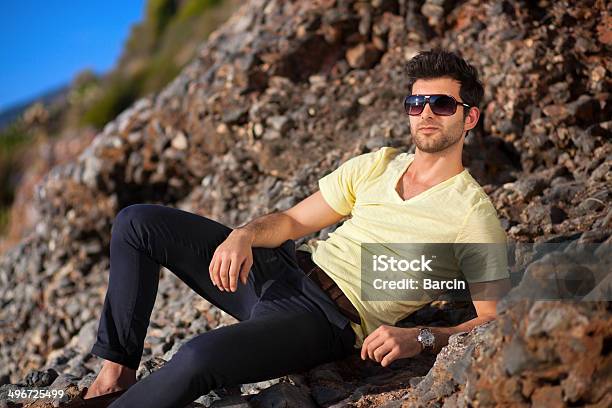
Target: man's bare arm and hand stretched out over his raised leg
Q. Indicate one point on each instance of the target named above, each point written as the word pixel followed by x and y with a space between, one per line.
pixel 233 258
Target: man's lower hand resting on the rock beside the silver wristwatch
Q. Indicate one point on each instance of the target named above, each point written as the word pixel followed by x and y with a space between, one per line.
pixel 389 343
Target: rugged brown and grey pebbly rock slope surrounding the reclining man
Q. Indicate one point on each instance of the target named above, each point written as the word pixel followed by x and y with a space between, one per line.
pixel 280 95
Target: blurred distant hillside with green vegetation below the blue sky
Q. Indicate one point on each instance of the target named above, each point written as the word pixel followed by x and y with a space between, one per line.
pixel 156 49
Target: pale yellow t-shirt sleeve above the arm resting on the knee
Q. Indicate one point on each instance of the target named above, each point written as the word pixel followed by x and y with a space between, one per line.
pixel 339 188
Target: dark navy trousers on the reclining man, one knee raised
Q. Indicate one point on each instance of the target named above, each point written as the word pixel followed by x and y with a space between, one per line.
pixel 287 324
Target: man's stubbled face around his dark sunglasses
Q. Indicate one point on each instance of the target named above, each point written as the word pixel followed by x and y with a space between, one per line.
pixel 447 130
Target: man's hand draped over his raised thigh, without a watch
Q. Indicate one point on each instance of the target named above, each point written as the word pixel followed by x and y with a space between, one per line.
pixel 231 261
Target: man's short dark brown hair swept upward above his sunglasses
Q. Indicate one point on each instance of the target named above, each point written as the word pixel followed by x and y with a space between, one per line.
pixel 438 63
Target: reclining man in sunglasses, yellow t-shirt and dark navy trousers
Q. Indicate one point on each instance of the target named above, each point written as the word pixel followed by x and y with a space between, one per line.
pixel 287 322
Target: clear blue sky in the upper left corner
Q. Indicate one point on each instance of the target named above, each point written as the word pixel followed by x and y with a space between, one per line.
pixel 44 43
